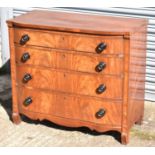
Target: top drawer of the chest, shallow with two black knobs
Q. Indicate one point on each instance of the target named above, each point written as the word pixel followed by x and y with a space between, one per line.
pixel 70 41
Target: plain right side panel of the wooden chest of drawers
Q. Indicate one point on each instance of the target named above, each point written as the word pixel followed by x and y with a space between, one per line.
pixel 137 76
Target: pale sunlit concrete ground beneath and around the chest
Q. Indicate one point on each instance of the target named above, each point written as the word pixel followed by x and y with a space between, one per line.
pixel 30 133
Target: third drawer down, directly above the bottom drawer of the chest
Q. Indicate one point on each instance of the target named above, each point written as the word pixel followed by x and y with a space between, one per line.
pixel 71 82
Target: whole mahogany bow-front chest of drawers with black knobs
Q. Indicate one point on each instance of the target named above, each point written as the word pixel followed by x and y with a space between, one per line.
pixel 78 69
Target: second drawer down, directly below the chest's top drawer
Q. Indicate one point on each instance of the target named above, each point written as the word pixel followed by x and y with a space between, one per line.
pixel 72 60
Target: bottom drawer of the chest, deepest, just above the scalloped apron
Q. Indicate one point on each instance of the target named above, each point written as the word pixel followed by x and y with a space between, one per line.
pixel 72 107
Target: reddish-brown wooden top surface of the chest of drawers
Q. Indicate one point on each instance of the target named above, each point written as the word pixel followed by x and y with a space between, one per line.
pixel 76 22
